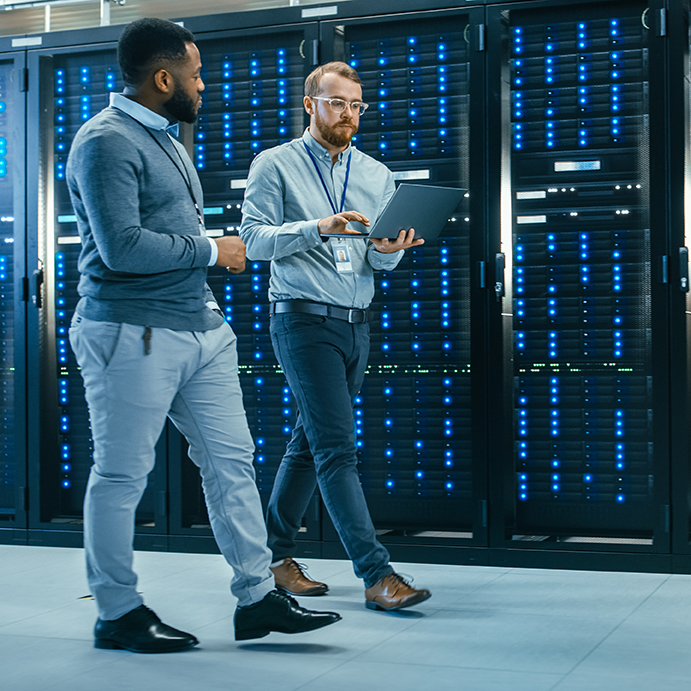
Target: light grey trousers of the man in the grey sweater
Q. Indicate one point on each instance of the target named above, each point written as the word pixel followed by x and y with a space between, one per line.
pixel 192 378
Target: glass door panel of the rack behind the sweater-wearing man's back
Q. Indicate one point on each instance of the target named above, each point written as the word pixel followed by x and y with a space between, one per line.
pixel 75 87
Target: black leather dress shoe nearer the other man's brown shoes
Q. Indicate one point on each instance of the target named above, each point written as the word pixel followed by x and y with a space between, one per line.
pixel 278 612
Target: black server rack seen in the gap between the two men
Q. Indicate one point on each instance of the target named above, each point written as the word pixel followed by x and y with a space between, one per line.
pixel 252 101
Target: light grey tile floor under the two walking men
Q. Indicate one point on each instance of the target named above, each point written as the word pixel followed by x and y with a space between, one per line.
pixel 485 629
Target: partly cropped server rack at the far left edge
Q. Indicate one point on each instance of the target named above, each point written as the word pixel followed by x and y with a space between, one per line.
pixel 13 480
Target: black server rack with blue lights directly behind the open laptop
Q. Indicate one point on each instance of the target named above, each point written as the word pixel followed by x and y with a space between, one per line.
pixel 420 416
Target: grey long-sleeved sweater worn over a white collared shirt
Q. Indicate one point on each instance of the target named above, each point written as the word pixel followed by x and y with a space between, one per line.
pixel 144 258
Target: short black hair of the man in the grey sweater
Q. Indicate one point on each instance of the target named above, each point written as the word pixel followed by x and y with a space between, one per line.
pixel 146 42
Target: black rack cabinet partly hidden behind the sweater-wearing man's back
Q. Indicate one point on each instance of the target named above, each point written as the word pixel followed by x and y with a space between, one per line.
pixel 67 88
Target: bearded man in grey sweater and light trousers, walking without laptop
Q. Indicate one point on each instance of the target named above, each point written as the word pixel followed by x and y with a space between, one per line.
pixel 151 343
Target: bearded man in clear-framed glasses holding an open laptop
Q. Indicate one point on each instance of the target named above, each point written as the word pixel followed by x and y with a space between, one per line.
pixel 299 195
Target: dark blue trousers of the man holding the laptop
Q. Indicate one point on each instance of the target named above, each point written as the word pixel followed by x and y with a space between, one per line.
pixel 324 360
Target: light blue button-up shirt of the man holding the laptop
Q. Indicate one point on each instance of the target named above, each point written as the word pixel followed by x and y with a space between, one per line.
pixel 284 202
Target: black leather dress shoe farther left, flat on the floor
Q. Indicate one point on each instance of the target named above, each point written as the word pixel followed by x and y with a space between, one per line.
pixel 141 631
